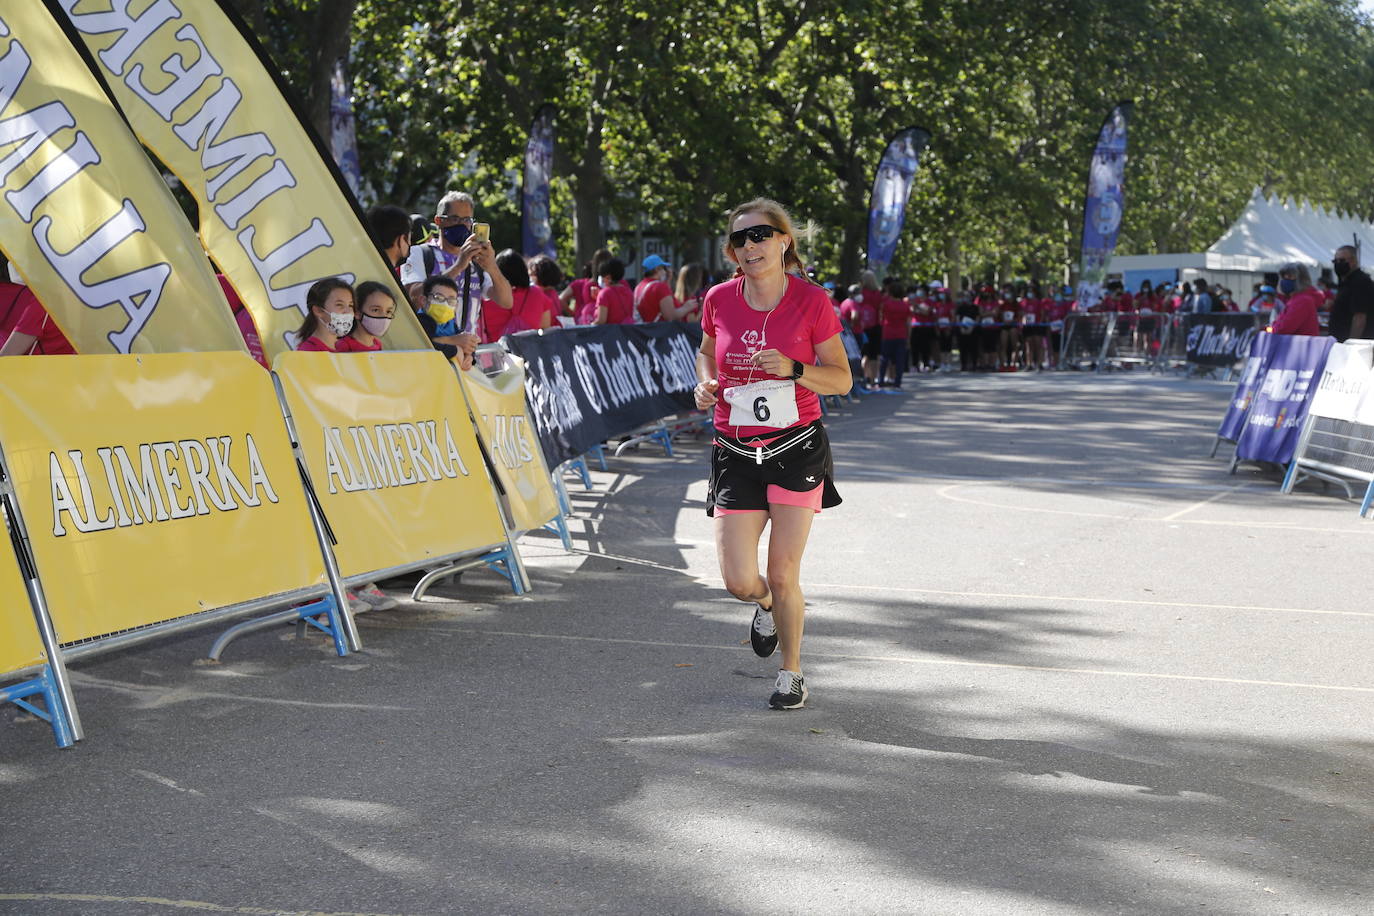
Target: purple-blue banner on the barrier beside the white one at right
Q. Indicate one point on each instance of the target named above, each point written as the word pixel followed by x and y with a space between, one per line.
pixel 1285 393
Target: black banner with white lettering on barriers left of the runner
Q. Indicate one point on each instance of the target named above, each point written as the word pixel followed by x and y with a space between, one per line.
pixel 590 384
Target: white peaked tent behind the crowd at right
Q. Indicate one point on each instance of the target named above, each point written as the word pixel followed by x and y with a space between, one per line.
pixel 1269 234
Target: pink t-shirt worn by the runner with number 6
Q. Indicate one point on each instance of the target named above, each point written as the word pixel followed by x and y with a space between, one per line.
pixel 803 319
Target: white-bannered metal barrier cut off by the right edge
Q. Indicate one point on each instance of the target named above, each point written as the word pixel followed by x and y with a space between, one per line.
pixel 1338 440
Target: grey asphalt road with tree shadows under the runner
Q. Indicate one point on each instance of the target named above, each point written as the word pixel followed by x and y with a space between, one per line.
pixel 1060 661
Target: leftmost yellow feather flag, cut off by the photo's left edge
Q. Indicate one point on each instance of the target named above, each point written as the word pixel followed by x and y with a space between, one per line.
pixel 86 218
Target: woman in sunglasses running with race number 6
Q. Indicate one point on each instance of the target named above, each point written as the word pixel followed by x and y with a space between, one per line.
pixel 770 347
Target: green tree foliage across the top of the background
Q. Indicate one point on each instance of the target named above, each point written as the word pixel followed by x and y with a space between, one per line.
pixel 675 113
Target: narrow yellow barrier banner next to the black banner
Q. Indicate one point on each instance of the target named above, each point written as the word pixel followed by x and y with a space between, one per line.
pixel 504 422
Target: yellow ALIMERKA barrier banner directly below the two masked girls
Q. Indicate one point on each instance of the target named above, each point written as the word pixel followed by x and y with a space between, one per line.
pixel 392 455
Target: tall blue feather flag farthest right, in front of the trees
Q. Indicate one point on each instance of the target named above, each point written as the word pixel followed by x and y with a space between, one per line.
pixel 1104 208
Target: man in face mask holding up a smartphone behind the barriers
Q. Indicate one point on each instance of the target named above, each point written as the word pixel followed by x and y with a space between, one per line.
pixel 462 253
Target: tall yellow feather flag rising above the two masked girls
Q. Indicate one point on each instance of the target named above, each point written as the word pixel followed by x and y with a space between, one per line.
pixel 273 215
